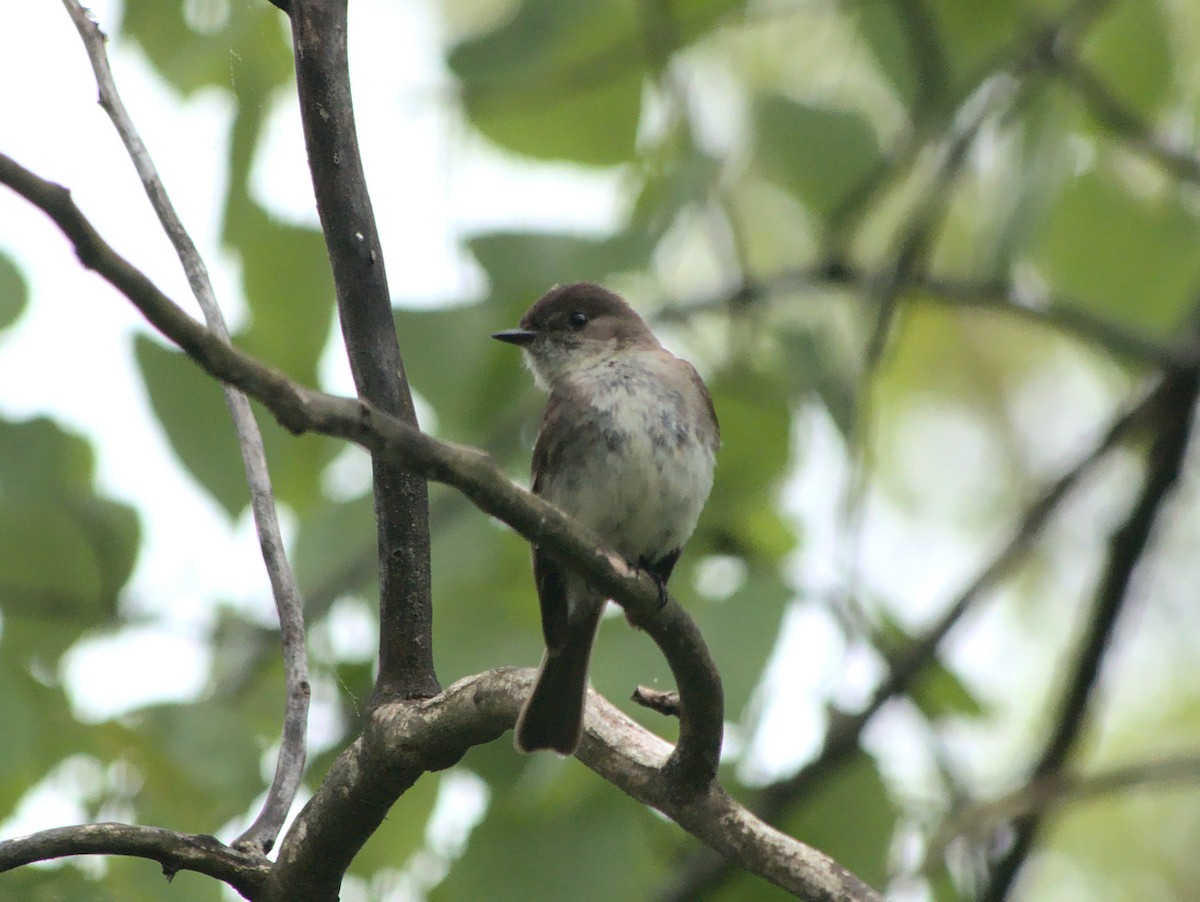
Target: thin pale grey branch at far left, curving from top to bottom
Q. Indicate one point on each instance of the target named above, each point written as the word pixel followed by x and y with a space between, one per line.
pixel 291 762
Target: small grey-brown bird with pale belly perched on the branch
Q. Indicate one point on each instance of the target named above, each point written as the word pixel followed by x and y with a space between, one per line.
pixel 627 448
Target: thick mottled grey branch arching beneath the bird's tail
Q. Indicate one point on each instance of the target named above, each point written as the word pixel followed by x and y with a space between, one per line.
pixel 404 741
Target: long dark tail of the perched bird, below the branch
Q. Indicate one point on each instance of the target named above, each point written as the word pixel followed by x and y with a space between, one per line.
pixel 553 717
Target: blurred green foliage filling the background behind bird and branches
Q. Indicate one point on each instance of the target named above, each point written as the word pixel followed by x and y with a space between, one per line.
pixel 773 159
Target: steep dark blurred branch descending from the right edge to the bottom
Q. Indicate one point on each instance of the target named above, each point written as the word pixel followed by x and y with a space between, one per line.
pixel 1127 548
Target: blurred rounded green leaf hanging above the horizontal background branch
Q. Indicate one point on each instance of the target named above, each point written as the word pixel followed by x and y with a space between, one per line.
pixel 819 154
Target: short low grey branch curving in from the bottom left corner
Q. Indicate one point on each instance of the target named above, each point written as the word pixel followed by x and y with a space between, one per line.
pixel 245 873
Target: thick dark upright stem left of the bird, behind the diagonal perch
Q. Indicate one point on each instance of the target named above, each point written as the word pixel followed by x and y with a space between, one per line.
pixel 364 306
